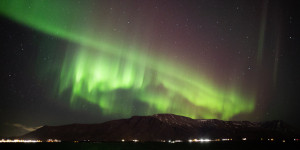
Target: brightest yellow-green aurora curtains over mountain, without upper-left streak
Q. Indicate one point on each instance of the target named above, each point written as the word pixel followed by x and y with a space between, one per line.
pixel 97 79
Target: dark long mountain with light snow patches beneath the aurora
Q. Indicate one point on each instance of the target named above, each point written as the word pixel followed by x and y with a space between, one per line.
pixel 160 127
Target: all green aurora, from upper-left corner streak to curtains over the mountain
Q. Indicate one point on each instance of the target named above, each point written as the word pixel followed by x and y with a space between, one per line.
pixel 117 76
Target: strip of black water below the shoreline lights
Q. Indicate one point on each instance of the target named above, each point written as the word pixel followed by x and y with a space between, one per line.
pixel 151 146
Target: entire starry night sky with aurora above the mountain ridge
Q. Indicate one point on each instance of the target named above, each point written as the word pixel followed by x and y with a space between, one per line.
pixel 90 61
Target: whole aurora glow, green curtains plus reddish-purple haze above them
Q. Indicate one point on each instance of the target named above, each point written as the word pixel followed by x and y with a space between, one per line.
pixel 144 57
